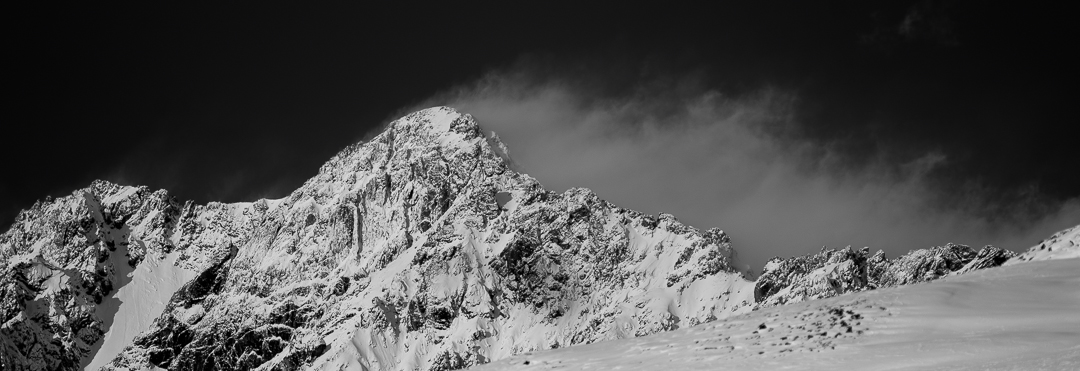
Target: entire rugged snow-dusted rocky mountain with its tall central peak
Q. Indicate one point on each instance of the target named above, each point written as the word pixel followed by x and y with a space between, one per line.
pixel 423 249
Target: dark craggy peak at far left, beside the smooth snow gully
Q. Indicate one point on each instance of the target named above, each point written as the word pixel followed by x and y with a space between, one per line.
pixel 63 259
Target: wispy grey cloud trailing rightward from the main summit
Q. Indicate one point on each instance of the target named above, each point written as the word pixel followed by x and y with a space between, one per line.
pixel 739 162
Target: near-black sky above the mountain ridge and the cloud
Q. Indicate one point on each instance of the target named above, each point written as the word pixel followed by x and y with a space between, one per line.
pixel 240 102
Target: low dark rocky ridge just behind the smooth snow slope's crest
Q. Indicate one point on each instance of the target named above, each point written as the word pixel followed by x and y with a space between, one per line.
pixel 835 272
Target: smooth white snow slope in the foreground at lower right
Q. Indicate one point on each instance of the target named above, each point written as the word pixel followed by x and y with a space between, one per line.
pixel 1020 318
